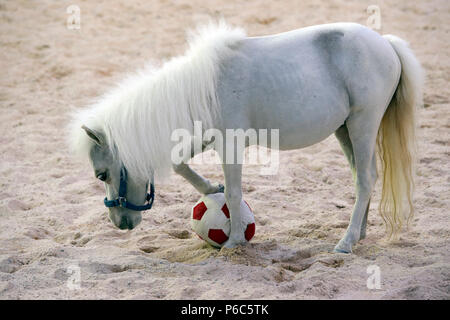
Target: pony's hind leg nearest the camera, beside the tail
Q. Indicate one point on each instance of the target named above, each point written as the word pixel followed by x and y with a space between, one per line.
pixel 362 129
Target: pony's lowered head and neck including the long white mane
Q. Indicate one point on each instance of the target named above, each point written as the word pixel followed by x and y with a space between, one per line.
pixel 130 128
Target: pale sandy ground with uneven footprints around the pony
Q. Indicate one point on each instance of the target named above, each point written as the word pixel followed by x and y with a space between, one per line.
pixel 52 219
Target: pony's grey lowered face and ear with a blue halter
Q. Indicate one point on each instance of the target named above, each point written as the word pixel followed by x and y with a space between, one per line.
pixel 126 196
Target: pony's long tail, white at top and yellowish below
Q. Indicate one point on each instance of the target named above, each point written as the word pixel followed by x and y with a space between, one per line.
pixel 396 141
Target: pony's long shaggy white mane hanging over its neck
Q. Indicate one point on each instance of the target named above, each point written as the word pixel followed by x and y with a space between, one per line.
pixel 138 117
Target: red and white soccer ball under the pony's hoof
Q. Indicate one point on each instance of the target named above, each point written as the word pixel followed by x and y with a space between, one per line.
pixel 210 219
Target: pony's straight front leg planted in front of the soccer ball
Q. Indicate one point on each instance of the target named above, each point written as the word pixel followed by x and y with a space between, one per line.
pixel 233 198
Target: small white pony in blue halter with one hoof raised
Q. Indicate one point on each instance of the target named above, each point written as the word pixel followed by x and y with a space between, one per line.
pixel 340 78
